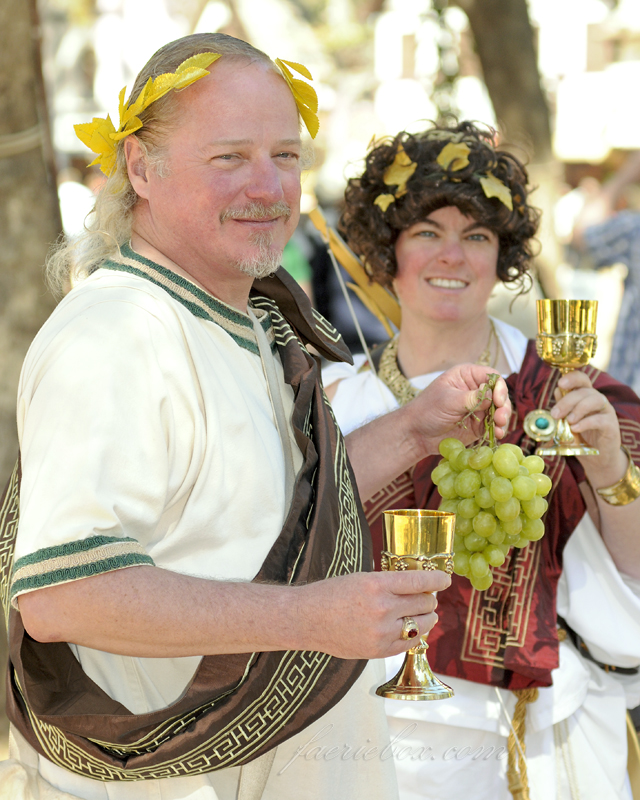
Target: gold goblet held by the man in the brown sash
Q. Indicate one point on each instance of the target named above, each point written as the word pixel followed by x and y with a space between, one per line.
pixel 417 539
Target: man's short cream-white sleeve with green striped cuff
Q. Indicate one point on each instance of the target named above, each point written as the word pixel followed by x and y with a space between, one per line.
pixel 100 399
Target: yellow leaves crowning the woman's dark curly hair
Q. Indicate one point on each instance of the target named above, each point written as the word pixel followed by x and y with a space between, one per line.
pixel 453 157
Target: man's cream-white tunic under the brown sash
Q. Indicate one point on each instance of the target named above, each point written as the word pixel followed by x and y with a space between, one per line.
pixel 139 419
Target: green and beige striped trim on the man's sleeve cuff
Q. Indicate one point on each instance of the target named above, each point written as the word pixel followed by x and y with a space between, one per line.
pixel 73 560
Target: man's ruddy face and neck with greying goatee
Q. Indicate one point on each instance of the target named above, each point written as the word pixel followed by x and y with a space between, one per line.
pixel 230 200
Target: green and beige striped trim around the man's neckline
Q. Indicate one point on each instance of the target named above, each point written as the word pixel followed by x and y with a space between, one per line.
pixel 199 303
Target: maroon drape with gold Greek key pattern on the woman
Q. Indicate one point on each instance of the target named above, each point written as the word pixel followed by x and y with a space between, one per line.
pixel 506 636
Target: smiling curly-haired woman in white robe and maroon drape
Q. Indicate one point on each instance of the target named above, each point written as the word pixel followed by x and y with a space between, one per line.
pixel 439 218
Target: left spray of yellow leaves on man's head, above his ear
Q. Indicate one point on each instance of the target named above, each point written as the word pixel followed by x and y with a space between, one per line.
pixel 101 136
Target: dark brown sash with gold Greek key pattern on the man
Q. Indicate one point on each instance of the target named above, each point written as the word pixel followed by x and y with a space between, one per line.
pixel 237 707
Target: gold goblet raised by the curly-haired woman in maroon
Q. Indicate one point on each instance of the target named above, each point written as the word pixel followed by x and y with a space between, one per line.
pixel 566 340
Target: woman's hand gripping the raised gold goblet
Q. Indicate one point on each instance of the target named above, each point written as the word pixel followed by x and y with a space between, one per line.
pixel 590 414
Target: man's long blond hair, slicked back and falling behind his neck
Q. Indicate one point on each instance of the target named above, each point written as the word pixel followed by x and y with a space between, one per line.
pixel 109 226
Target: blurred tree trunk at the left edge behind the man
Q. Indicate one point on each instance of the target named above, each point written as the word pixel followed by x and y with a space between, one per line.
pixel 29 214
